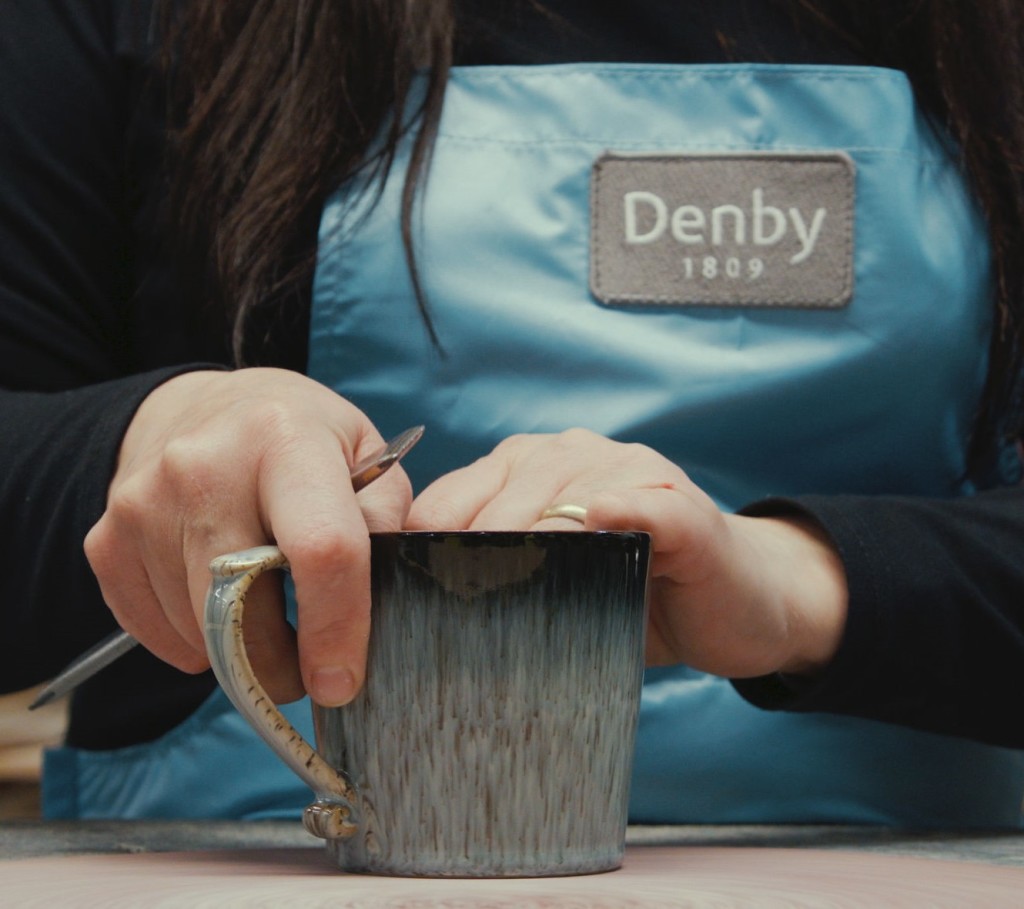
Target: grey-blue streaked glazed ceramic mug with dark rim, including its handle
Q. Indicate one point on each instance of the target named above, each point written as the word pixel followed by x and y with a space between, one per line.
pixel 494 737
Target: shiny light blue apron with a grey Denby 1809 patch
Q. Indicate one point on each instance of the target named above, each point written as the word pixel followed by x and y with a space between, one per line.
pixel 867 388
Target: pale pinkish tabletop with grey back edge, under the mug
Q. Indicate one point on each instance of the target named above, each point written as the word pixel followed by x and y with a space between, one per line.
pixel 183 865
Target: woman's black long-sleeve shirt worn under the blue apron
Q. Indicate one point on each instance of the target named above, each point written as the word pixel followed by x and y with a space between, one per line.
pixel 94 315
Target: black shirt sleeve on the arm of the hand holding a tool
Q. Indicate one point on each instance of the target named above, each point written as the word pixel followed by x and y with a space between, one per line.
pixel 77 274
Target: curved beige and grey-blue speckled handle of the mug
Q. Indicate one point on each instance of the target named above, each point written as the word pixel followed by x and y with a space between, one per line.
pixel 330 816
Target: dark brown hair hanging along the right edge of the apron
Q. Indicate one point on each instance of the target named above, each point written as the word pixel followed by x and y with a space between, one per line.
pixel 965 63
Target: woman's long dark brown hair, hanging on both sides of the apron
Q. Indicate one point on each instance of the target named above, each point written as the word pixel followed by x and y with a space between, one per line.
pixel 279 103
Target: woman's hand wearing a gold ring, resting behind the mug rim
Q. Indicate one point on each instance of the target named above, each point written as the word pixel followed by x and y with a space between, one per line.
pixel 731 595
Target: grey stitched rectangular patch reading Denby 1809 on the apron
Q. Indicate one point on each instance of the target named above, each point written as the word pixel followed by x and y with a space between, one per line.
pixel 723 230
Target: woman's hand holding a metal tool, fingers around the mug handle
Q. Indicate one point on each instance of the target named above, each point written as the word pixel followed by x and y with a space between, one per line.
pixel 217 462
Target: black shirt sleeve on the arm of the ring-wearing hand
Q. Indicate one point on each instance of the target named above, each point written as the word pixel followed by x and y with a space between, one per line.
pixel 935 631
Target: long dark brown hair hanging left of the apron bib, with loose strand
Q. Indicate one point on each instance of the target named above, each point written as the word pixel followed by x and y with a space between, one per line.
pixel 277 104
